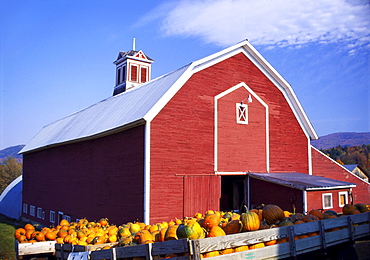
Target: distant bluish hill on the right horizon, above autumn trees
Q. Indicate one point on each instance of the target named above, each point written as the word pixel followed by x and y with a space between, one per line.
pixel 342 139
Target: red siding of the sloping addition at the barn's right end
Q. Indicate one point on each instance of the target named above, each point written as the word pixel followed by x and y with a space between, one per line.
pixel 326 167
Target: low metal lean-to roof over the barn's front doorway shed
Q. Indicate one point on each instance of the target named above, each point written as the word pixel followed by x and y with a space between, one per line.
pixel 301 181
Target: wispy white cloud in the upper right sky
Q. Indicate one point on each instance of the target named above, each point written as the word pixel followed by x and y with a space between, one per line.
pixel 269 22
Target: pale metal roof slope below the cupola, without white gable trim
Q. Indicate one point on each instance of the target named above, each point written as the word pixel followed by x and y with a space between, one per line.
pixel 107 115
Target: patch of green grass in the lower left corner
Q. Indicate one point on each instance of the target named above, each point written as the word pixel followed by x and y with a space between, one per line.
pixel 7 228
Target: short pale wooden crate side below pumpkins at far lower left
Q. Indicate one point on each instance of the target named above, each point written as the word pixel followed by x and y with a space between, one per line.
pixel 37 249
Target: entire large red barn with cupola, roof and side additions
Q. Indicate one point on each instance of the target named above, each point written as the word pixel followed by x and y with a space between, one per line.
pixel 218 133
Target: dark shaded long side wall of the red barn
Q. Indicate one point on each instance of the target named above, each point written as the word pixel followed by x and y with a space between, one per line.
pixel 93 179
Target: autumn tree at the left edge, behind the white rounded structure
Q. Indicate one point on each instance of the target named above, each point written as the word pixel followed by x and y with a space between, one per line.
pixel 10 169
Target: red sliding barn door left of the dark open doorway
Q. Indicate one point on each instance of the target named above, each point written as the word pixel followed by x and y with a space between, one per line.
pixel 201 193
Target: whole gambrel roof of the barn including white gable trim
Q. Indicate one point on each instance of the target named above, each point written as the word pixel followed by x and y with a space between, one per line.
pixel 143 103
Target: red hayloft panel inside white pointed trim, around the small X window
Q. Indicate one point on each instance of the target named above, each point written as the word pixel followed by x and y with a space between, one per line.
pixel 241 144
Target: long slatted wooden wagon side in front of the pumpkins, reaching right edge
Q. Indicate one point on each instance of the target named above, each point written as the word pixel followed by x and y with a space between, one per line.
pixel 349 228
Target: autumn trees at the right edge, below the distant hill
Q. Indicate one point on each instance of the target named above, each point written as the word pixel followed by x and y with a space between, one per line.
pixel 351 155
